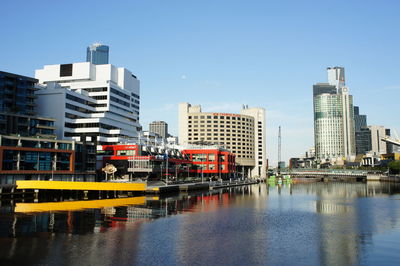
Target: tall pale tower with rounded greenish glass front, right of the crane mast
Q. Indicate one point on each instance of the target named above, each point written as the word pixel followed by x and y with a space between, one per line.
pixel 333 118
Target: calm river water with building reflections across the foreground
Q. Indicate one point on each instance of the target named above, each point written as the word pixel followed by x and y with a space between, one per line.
pixel 301 224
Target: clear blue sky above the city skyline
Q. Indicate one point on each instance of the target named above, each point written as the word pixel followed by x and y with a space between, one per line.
pixel 222 54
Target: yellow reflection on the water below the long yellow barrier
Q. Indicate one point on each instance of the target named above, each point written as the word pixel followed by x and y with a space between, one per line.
pixel 77 205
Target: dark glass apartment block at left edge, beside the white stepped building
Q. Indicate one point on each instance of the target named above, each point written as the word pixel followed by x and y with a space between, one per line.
pixel 18 108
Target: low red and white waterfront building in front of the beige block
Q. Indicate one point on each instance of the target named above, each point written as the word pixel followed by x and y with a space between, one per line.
pixel 155 163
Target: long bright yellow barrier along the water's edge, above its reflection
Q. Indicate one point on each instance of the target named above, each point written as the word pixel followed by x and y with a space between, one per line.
pixel 68 185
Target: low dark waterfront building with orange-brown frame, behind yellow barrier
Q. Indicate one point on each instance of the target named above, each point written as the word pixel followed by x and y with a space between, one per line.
pixel 28 158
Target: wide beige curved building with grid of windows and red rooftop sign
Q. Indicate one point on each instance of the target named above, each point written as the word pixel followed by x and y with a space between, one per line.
pixel 243 134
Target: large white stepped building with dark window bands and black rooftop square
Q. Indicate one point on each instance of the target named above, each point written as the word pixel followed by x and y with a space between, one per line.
pixel 100 101
